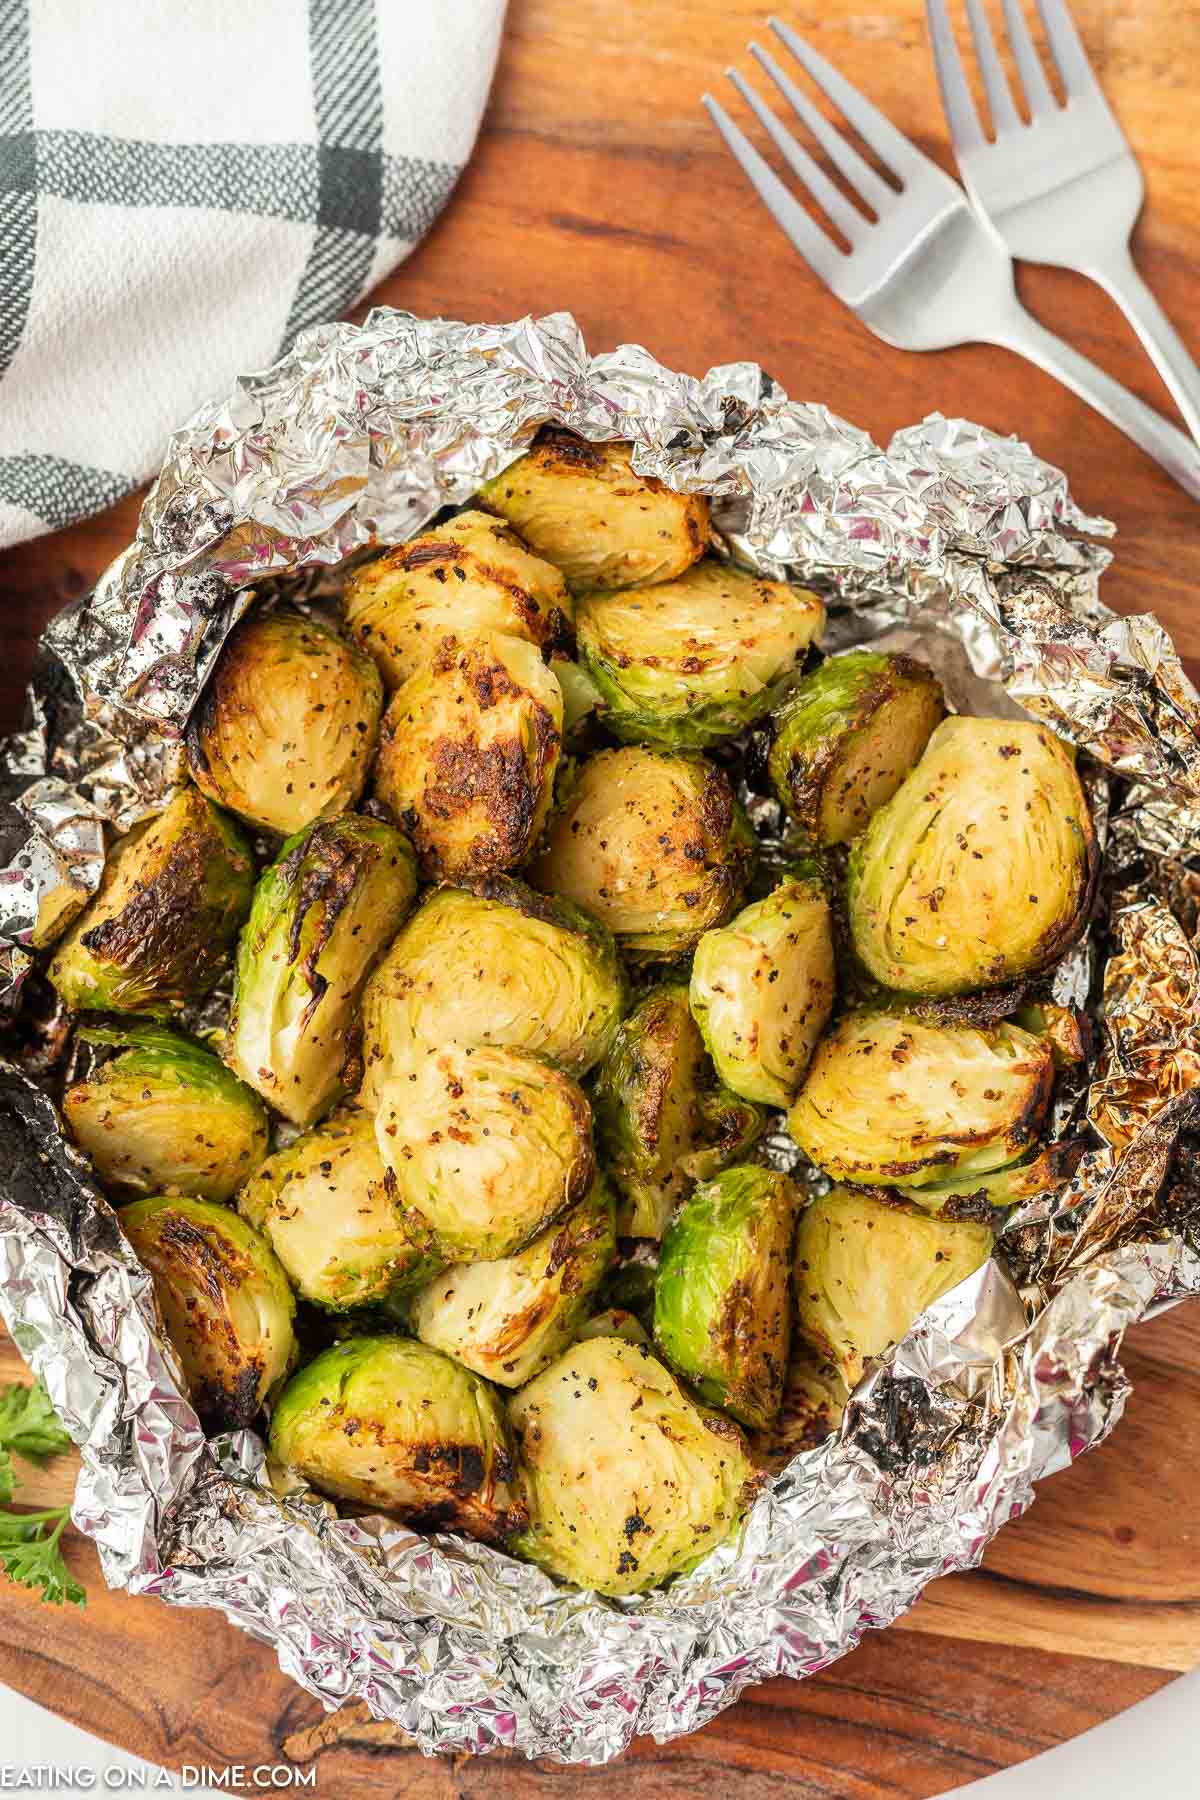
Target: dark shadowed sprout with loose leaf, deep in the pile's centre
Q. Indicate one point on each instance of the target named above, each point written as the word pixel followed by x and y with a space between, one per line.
pixel 658 1124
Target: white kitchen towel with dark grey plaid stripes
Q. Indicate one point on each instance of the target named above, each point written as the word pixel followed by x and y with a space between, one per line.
pixel 184 186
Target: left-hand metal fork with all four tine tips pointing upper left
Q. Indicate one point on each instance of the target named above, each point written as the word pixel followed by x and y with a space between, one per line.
pixel 927 273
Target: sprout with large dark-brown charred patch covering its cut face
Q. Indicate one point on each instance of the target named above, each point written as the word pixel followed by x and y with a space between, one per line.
pixel 469 755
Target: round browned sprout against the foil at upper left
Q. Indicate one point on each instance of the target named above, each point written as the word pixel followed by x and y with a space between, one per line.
pixel 285 728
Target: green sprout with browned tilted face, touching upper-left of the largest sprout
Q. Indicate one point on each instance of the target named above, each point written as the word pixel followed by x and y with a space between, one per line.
pixel 848 737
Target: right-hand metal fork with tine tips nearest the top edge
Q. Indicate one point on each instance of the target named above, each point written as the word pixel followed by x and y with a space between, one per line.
pixel 1066 188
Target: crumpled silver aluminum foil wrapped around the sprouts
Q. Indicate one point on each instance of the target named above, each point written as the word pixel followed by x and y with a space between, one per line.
pixel 954 543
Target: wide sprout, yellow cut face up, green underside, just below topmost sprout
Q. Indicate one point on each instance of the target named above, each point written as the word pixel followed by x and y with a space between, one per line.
pixel 692 661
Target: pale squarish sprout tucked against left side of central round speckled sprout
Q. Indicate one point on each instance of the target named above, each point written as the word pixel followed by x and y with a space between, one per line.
pixel 330 1212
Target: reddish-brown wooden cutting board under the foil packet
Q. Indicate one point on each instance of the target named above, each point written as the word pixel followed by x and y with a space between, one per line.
pixel 600 188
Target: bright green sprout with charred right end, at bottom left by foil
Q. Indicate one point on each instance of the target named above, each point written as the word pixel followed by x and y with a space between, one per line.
pixel 395 1425
